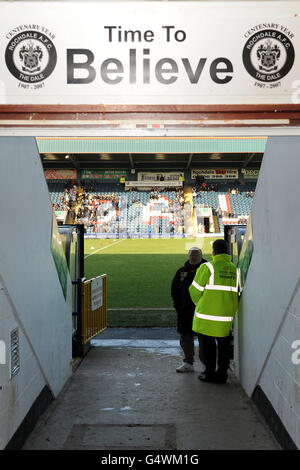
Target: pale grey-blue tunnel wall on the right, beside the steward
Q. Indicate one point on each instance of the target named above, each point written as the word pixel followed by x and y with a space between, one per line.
pixel 269 316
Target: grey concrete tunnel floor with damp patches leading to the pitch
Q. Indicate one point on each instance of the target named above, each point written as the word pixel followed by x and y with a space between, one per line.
pixel 126 395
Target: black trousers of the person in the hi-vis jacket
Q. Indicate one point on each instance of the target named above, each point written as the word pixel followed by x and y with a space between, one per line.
pixel 215 351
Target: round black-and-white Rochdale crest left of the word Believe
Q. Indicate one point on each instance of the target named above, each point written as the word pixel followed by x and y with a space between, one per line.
pixel 30 56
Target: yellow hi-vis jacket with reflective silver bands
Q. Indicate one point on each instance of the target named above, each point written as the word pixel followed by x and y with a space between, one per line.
pixel 214 290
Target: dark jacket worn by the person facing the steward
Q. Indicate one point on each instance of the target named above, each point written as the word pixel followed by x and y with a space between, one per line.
pixel 182 301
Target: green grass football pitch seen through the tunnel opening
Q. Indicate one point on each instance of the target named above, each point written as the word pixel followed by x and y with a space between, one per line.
pixel 139 275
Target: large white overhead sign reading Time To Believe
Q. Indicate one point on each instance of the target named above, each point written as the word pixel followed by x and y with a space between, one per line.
pixel 149 52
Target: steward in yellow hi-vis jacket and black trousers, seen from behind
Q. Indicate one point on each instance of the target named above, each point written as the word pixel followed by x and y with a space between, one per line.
pixel 214 290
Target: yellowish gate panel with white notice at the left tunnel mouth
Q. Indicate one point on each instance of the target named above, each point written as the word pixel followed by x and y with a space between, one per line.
pixel 94 308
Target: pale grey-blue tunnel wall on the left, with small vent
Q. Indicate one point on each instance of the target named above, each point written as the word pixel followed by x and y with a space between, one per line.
pixel 31 297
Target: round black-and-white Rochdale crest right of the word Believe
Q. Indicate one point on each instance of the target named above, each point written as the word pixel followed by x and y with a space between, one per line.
pixel 268 55
